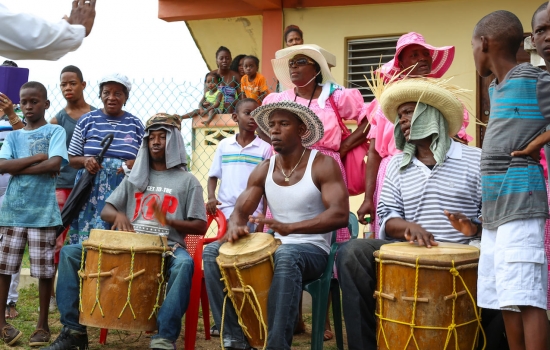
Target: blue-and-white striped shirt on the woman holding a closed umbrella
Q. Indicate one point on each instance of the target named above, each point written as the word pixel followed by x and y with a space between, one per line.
pixel 92 127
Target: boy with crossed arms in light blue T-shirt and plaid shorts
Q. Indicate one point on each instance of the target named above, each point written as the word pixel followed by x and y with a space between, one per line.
pixel 33 156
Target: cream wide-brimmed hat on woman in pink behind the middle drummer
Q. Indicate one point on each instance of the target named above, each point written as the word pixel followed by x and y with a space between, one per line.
pixel 315 52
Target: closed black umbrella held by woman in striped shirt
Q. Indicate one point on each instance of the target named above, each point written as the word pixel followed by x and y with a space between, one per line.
pixel 82 190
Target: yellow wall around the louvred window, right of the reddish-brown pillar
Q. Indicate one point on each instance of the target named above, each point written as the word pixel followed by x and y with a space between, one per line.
pixel 442 23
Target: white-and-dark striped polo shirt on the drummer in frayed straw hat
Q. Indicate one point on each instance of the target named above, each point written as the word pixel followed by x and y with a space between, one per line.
pixel 420 195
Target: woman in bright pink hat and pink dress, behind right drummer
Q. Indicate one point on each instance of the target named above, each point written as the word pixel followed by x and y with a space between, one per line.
pixel 430 61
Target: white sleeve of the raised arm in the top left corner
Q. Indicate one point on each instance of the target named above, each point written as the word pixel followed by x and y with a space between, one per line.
pixel 27 37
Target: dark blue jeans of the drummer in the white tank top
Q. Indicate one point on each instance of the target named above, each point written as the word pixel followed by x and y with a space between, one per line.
pixel 294 264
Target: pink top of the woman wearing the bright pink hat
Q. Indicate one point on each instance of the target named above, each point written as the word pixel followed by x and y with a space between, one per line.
pixel 382 130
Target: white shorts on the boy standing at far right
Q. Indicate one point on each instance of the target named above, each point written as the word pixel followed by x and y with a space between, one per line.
pixel 513 267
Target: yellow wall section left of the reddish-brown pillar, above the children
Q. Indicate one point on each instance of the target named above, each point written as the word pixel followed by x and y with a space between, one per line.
pixel 242 35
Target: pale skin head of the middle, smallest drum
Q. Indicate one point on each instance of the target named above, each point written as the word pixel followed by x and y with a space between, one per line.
pixel 255 245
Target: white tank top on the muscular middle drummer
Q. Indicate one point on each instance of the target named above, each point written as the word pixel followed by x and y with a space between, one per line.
pixel 298 202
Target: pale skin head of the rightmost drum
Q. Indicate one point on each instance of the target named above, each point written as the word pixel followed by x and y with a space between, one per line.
pixel 442 252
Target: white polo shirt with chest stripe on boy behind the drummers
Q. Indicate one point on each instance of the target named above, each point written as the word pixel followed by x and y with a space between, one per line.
pixel 232 165
